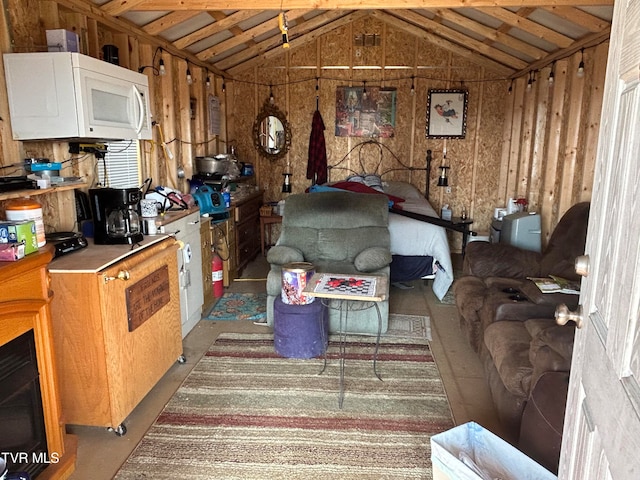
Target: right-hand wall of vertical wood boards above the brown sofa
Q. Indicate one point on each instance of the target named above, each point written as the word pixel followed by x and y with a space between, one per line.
pixel 550 136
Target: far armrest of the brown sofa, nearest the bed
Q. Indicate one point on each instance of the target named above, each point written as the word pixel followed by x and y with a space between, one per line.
pixel 484 259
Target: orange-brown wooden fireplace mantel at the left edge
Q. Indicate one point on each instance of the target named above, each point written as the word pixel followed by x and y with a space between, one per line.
pixel 24 306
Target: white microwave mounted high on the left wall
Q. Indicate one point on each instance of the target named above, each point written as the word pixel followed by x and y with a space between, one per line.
pixel 66 95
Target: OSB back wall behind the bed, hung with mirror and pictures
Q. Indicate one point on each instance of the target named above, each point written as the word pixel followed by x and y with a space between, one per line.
pixel 335 61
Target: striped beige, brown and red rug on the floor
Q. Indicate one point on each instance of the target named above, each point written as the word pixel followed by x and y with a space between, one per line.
pixel 246 413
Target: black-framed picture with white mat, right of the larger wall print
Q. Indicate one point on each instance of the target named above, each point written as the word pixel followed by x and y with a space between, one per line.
pixel 447 113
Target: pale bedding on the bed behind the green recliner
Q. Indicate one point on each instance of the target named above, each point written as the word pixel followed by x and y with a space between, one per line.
pixel 413 237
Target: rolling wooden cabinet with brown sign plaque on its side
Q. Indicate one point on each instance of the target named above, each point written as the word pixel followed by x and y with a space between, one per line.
pixel 116 327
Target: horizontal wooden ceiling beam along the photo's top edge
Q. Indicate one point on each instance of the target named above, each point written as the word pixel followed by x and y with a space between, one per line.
pixel 346 4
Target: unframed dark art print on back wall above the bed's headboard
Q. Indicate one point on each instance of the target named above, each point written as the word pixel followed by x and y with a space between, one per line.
pixel 373 116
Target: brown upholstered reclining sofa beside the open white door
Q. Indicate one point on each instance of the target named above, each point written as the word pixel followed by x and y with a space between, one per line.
pixel 511 325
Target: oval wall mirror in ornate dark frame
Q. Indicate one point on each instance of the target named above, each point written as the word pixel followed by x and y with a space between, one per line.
pixel 271 132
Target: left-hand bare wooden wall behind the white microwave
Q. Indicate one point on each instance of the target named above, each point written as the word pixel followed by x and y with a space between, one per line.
pixel 178 136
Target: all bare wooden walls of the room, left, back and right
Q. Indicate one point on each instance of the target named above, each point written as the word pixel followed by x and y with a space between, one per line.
pixel 538 143
